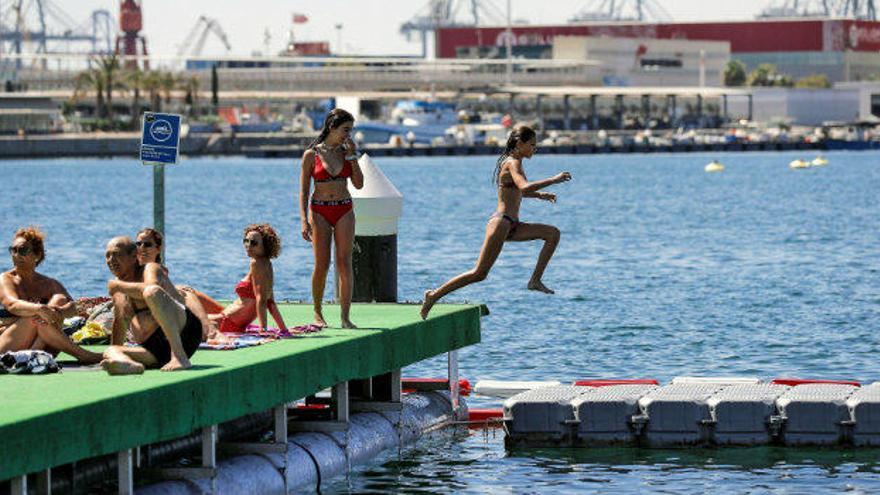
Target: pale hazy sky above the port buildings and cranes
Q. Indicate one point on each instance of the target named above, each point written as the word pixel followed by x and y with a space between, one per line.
pixel 368 27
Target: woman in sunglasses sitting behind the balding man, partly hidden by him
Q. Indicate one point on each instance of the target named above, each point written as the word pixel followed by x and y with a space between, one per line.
pixel 149 250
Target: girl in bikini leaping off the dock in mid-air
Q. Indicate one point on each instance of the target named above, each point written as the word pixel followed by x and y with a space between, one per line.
pixel 504 224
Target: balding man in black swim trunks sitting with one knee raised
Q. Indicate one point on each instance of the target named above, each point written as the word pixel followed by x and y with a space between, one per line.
pixel 168 332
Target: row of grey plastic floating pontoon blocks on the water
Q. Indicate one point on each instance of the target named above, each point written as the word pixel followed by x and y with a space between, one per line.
pixel 696 411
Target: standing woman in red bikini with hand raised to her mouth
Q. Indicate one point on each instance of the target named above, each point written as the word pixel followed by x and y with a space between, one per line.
pixel 330 161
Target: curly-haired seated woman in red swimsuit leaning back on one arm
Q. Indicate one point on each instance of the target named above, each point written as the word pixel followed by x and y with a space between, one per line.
pixel 255 295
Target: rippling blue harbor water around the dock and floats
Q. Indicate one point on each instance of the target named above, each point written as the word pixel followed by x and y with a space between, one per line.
pixel 663 270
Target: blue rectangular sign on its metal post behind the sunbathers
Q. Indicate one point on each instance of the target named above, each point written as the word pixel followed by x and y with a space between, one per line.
pixel 160 146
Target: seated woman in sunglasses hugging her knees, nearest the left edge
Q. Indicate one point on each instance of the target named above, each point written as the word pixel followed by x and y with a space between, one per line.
pixel 33 306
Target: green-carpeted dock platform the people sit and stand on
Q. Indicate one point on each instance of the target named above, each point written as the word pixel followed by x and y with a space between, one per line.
pixel 49 420
